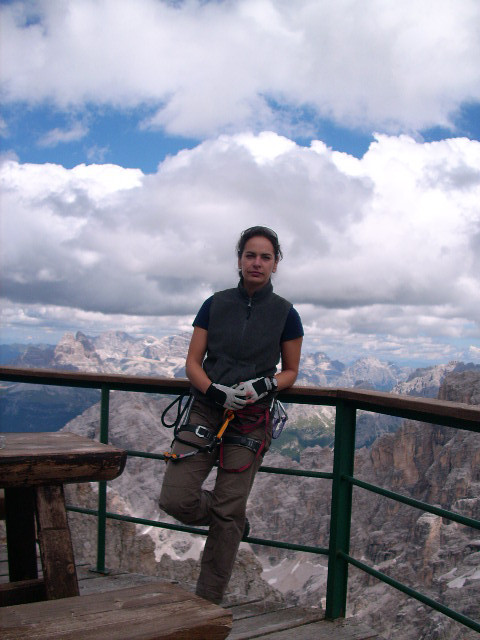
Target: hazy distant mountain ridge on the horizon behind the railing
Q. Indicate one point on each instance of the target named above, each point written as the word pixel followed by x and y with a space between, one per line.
pixel 37 408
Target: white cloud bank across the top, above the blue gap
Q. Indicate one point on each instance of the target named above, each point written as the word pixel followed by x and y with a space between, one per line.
pixel 206 67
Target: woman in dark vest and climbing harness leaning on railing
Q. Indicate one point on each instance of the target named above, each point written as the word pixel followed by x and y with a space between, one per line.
pixel 238 339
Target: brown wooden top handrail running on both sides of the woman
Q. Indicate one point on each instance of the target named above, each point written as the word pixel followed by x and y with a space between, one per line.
pixel 453 414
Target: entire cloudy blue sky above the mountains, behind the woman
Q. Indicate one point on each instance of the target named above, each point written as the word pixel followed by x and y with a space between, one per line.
pixel 139 137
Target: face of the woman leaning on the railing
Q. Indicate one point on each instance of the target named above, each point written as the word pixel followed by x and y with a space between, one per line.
pixel 257 263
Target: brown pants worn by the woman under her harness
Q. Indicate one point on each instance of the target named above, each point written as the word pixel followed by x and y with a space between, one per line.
pixel 223 508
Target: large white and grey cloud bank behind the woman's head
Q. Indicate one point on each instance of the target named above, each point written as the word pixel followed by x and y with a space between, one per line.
pixel 379 253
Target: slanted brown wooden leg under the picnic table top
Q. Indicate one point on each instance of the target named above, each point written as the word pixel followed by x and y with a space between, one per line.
pixel 55 541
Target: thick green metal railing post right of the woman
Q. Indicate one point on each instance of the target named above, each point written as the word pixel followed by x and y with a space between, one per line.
pixel 341 510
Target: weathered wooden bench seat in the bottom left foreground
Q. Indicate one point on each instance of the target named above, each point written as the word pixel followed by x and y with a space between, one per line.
pixel 154 611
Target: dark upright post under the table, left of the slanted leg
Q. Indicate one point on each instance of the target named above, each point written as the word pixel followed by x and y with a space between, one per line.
pixel 20 523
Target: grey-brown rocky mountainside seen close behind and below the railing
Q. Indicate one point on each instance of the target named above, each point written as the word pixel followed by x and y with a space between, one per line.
pixel 426 552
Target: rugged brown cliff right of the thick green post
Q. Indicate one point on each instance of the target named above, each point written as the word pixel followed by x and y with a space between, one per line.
pixel 427 552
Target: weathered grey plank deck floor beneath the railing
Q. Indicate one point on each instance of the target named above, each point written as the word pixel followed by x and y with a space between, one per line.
pixel 251 618
